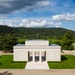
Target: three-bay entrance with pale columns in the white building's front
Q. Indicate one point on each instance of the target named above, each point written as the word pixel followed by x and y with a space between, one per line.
pixel 36 56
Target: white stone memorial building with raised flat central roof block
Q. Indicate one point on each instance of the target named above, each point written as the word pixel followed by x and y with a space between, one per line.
pixel 37 50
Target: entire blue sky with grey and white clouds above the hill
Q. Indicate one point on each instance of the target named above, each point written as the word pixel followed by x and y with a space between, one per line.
pixel 38 13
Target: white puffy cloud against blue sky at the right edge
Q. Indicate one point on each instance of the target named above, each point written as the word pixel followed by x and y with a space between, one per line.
pixel 64 17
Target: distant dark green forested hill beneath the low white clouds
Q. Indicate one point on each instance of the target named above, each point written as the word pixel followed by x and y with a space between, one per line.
pixel 32 32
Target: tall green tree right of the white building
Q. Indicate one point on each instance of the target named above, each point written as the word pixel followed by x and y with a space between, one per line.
pixel 68 41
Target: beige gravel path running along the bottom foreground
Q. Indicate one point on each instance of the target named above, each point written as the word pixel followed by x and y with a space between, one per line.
pixel 37 72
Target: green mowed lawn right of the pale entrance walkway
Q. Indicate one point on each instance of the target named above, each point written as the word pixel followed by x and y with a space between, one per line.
pixel 67 62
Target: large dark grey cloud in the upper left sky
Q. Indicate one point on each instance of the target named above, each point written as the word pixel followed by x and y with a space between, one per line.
pixel 9 6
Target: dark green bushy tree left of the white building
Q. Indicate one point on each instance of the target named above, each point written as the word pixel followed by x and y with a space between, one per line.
pixel 7 42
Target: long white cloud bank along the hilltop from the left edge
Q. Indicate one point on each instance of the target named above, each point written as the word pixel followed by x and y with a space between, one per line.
pixel 30 23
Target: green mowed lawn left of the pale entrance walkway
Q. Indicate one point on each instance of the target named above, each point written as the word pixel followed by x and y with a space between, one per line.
pixel 6 62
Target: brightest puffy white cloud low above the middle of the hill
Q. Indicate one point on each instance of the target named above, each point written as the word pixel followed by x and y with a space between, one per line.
pixel 38 23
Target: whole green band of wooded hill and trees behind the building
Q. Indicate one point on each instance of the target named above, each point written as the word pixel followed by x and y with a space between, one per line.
pixel 9 36
